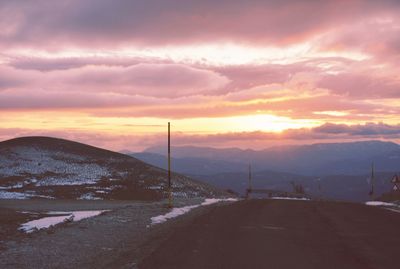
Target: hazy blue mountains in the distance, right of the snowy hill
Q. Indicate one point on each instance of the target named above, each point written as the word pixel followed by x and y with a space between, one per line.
pixel 334 170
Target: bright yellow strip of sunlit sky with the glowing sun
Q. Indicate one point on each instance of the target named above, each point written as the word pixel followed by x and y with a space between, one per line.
pixel 80 121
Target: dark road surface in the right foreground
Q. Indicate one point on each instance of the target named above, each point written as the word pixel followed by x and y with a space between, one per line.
pixel 284 234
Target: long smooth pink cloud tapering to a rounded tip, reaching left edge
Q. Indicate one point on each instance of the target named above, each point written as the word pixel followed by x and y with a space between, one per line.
pixel 156 80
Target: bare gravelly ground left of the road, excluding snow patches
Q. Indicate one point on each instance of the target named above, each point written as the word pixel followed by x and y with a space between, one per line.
pixel 119 238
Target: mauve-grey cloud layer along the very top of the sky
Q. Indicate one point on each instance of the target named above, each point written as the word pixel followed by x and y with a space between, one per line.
pixel 100 22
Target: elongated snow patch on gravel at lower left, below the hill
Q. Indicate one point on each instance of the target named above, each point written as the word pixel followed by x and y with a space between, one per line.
pixel 47 222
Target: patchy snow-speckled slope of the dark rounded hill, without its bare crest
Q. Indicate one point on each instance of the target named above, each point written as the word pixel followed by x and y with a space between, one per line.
pixel 26 167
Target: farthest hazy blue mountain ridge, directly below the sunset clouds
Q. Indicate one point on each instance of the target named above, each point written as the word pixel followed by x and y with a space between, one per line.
pixel 350 158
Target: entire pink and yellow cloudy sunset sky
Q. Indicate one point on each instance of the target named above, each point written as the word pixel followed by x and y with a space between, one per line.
pixel 248 74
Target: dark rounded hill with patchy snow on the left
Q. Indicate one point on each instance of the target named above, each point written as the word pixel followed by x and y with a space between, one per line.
pixel 55 168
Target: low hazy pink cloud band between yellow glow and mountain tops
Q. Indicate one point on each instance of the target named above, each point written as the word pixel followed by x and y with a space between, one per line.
pixel 324 134
